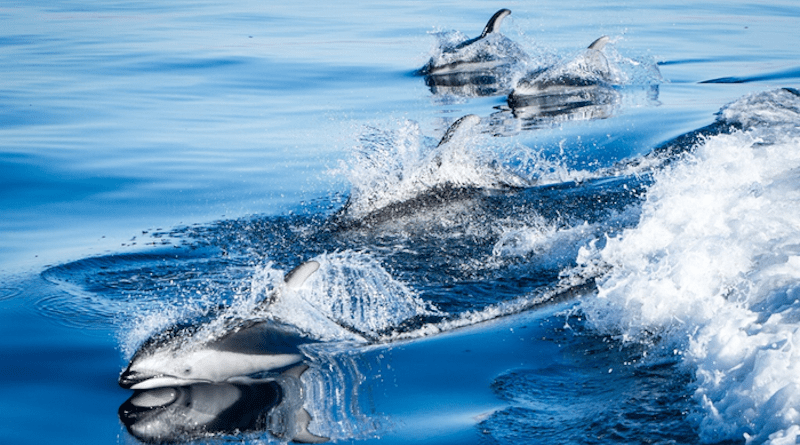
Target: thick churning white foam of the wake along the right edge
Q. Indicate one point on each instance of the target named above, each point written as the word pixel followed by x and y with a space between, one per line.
pixel 713 271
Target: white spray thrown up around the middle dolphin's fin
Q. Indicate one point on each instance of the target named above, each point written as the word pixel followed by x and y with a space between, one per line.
pixel 398 164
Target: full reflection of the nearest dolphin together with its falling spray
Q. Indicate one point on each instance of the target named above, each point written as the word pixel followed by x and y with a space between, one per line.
pixel 328 397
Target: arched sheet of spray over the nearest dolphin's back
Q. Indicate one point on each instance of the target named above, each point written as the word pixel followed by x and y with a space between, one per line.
pixel 351 298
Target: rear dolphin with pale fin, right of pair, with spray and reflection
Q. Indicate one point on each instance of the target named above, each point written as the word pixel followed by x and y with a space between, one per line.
pixel 579 90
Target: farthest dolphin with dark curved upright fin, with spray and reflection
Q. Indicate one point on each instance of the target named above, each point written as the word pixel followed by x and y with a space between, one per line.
pixel 476 67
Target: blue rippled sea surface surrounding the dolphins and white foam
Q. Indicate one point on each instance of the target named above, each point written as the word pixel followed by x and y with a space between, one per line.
pixel 154 156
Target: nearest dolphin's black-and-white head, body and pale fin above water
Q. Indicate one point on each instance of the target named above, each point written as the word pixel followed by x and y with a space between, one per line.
pixel 177 357
